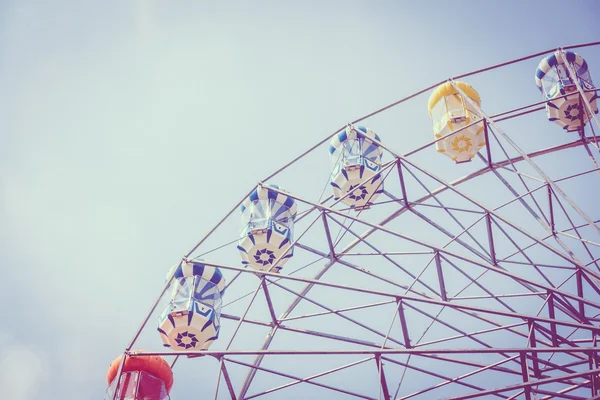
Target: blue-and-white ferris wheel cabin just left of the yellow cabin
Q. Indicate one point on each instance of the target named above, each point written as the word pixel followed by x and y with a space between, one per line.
pixel 356 159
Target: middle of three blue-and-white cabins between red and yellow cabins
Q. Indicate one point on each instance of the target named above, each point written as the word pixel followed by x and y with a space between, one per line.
pixel 265 241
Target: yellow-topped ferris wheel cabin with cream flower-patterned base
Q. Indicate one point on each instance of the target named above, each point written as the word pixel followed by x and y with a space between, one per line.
pixel 451 112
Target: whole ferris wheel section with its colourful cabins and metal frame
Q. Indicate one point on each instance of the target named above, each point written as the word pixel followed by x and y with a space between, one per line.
pixel 466 266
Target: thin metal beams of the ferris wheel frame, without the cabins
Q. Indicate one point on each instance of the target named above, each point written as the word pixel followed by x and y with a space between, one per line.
pixel 547 337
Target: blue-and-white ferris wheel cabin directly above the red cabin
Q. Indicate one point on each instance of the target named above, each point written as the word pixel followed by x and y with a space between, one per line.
pixel 191 320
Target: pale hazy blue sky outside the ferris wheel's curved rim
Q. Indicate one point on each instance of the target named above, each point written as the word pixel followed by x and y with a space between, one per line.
pixel 129 127
